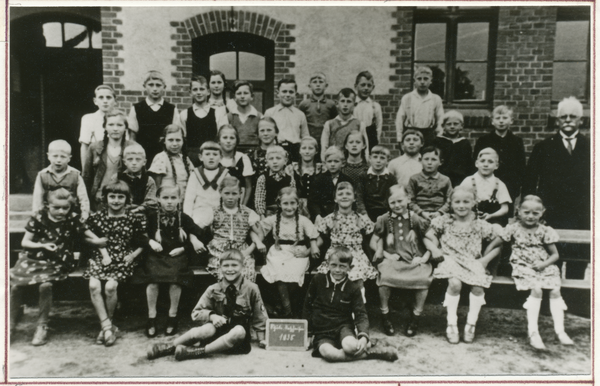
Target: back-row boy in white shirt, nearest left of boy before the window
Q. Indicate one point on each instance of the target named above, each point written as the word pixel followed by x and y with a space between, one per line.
pixel 367 110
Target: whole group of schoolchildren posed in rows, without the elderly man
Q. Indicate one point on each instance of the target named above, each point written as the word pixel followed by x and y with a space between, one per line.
pixel 315 181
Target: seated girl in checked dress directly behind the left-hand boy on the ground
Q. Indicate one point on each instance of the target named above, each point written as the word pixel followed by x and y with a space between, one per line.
pixel 231 225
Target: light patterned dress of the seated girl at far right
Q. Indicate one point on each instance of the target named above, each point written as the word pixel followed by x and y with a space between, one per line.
pixel 528 249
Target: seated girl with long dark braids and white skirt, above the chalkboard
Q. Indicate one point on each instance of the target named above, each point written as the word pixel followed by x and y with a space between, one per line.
pixel 295 237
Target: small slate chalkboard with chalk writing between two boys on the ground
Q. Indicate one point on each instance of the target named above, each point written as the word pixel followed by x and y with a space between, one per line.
pixel 287 334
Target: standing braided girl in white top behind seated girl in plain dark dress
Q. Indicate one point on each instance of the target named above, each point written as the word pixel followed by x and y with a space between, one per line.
pixel 172 166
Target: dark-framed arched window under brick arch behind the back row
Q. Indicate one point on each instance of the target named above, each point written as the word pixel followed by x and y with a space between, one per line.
pixel 241 56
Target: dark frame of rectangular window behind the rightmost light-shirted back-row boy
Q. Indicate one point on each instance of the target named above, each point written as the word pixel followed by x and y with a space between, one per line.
pixel 452 16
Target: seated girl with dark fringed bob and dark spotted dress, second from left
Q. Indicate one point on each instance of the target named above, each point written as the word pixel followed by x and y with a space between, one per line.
pixel 126 236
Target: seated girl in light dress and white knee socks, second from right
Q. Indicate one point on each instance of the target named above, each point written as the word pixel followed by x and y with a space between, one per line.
pixel 460 235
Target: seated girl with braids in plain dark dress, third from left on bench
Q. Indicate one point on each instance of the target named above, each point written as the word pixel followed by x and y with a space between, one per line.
pixel 174 238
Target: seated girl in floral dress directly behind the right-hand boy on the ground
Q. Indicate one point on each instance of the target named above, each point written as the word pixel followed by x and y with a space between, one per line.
pixel 347 228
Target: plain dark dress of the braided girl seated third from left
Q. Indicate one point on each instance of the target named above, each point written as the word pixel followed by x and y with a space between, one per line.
pixel 160 267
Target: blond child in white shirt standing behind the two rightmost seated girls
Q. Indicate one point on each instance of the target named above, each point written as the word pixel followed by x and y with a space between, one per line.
pixel 490 192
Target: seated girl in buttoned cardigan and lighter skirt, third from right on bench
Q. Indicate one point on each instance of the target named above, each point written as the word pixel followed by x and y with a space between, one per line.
pixel 401 257
